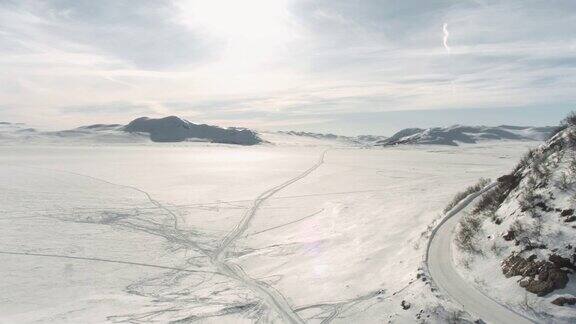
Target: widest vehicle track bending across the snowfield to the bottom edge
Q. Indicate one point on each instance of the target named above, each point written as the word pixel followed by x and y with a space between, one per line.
pixel 272 296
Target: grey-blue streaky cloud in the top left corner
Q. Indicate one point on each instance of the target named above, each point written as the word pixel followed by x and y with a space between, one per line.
pixel 139 33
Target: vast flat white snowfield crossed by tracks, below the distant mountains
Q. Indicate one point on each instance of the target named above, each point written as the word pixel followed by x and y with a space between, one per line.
pixel 295 232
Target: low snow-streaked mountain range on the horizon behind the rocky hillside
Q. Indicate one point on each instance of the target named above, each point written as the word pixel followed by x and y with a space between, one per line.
pixel 465 134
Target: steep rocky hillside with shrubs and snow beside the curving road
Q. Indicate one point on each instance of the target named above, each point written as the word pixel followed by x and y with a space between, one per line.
pixel 519 240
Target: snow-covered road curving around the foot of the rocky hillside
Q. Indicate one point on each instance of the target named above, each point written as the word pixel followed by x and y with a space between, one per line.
pixel 443 272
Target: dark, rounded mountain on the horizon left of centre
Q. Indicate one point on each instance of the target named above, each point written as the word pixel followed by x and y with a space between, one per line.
pixel 174 129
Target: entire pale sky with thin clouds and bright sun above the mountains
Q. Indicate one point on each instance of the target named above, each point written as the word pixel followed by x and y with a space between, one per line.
pixel 342 66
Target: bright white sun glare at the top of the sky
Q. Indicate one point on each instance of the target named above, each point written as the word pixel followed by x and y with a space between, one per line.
pixel 253 34
